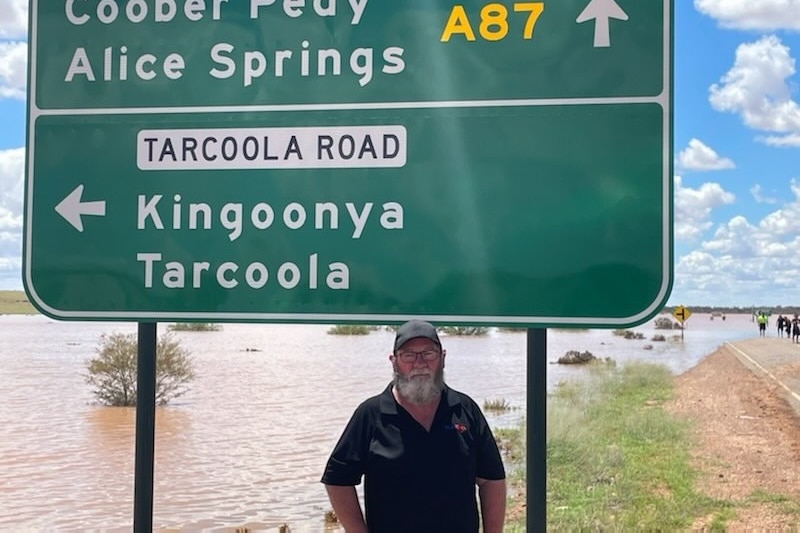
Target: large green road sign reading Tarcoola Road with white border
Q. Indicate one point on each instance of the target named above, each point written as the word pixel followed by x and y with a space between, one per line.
pixel 347 161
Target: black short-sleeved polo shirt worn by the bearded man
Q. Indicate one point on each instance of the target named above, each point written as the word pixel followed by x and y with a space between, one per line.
pixel 416 481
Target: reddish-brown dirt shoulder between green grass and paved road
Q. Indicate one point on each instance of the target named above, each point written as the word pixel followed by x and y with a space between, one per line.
pixel 747 440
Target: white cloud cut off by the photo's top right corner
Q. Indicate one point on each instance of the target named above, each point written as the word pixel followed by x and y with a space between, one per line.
pixel 761 15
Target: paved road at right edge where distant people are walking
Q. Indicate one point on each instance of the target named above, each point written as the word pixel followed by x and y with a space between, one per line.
pixel 776 359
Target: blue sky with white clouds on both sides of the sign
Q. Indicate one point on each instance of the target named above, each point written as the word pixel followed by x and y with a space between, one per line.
pixel 737 150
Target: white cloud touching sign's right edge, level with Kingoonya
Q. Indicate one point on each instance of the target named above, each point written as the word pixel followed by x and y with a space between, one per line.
pixel 693 208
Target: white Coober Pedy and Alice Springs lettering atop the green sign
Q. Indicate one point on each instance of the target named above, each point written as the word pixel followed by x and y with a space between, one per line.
pixel 129 61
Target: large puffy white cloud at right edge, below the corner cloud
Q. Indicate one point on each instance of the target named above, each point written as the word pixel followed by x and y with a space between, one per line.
pixel 756 87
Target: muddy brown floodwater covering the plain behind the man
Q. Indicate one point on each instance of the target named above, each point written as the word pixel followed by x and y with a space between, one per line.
pixel 247 444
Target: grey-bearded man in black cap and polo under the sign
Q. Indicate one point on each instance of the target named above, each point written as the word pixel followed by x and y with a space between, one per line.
pixel 421 448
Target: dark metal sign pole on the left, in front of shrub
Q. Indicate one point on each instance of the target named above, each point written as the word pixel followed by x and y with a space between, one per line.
pixel 145 428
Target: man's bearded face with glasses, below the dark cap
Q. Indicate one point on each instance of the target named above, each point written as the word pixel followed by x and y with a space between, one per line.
pixel 419 370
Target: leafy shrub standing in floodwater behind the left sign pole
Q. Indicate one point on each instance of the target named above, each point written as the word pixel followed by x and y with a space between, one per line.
pixel 113 371
